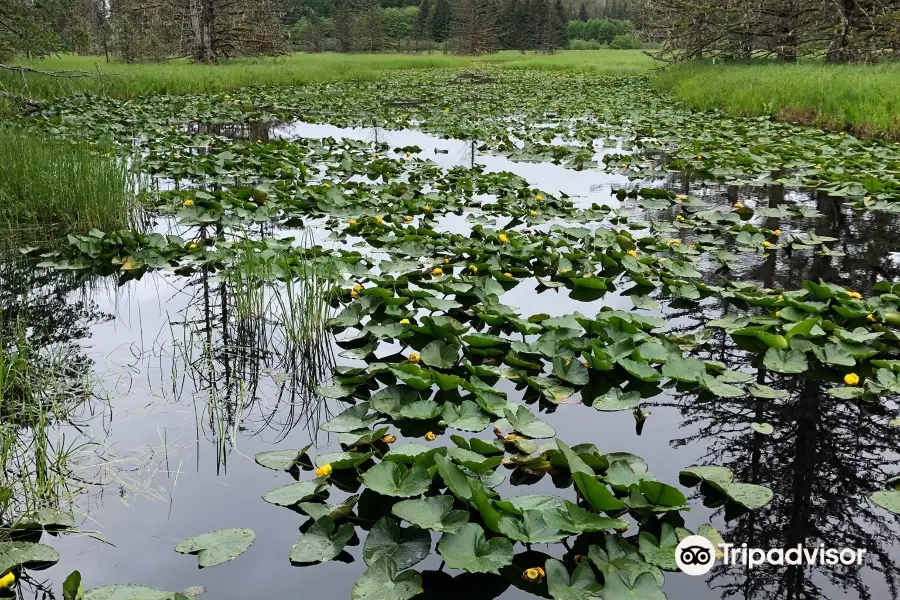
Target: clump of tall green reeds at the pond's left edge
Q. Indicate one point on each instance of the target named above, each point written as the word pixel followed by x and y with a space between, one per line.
pixel 50 187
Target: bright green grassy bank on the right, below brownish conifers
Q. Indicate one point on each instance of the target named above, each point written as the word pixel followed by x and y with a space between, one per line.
pixel 864 99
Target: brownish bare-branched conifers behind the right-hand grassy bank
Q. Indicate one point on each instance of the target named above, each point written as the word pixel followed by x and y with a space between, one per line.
pixel 836 30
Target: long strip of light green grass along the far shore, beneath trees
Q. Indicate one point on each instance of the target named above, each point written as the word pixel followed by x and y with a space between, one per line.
pixel 182 77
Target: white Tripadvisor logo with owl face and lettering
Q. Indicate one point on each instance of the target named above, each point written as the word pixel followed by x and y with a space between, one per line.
pixel 696 555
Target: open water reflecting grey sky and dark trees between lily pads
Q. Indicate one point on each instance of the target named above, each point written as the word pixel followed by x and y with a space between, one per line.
pixel 188 393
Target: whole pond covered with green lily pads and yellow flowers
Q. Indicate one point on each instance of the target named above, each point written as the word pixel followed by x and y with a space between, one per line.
pixel 526 318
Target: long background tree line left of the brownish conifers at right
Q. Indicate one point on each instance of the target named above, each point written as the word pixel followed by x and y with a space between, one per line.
pixel 211 30
